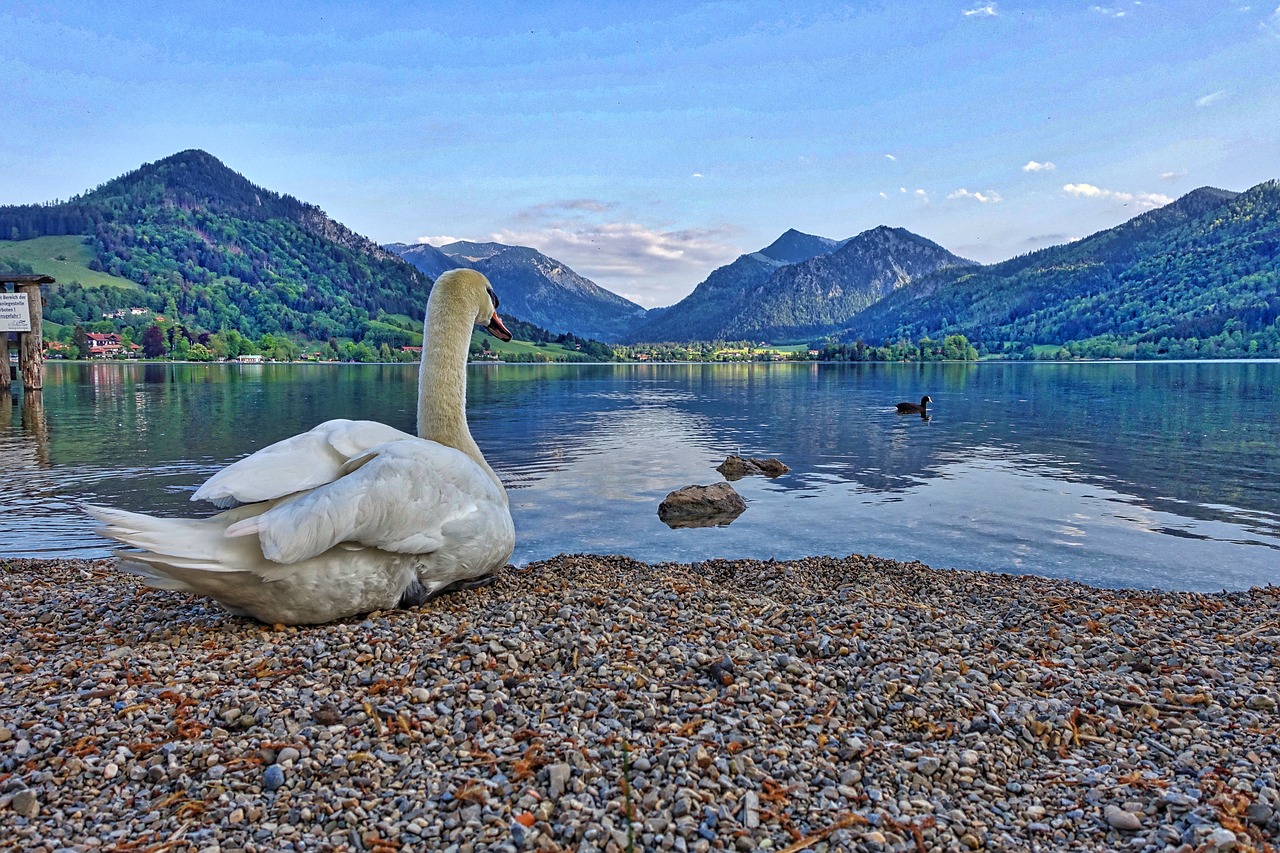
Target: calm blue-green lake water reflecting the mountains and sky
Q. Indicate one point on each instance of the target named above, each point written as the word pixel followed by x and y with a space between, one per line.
pixel 1153 475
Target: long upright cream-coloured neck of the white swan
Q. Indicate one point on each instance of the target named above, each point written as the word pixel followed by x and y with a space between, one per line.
pixel 442 380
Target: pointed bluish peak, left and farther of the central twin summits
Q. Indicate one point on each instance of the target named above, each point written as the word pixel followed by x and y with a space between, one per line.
pixel 702 314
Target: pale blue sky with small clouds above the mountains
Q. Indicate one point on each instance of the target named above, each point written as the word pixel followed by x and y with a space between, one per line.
pixel 647 144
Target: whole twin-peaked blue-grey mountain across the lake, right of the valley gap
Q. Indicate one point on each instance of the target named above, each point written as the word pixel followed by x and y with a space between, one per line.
pixel 799 288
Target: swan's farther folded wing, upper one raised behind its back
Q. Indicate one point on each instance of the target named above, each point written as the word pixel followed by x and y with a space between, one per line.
pixel 296 464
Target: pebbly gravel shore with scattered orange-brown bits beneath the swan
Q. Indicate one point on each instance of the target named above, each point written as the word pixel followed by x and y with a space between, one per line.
pixel 601 704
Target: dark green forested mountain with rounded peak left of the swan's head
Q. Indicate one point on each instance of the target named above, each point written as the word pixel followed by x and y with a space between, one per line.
pixel 230 254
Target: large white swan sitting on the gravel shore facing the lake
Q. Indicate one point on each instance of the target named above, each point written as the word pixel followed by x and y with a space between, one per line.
pixel 353 516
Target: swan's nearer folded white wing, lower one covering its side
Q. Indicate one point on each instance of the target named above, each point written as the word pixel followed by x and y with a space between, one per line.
pixel 401 500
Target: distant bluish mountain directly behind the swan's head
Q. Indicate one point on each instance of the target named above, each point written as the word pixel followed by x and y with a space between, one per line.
pixel 534 288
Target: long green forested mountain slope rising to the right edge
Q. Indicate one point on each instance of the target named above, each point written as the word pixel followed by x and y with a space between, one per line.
pixel 1197 277
